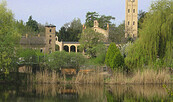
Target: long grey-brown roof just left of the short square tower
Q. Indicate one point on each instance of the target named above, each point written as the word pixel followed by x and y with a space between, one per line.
pixel 33 40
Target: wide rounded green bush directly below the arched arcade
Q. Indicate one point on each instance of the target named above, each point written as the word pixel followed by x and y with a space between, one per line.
pixel 62 59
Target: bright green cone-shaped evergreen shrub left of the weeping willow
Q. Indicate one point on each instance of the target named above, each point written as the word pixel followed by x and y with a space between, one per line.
pixel 114 59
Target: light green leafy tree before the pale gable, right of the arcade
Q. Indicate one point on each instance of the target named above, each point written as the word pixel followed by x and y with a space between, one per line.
pixel 89 40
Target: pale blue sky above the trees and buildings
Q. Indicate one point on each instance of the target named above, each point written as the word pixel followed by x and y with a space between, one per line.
pixel 59 12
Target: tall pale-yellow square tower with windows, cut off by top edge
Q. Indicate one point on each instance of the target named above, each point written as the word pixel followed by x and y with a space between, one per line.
pixel 131 19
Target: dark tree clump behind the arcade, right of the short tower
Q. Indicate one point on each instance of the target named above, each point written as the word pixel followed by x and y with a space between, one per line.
pixel 70 31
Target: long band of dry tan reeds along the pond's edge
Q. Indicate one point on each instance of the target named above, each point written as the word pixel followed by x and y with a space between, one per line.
pixel 147 76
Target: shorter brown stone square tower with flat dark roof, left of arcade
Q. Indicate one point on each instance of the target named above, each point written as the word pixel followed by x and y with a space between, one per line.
pixel 50 38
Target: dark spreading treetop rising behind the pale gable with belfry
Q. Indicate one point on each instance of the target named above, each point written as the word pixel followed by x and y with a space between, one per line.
pixel 102 19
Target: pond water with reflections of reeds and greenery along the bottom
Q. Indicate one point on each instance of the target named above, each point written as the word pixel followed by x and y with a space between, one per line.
pixel 83 93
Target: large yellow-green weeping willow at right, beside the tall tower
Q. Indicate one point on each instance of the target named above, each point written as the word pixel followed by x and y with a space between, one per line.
pixel 156 37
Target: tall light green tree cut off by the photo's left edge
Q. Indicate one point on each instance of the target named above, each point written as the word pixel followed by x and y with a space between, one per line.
pixel 9 38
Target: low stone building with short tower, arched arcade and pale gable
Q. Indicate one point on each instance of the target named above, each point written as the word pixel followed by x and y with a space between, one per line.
pixel 49 42
